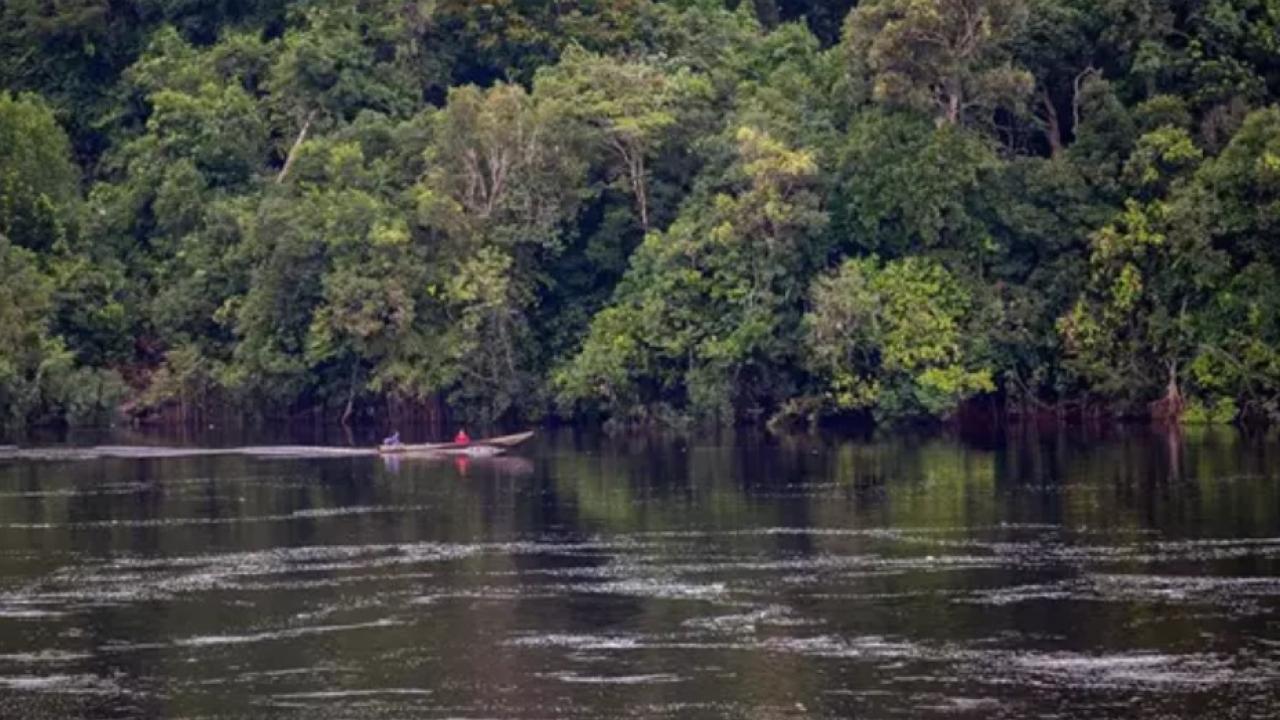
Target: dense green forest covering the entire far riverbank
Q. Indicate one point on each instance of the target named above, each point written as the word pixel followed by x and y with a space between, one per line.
pixel 641 211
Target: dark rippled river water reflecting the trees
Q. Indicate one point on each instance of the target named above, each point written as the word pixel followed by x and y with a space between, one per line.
pixel 1133 576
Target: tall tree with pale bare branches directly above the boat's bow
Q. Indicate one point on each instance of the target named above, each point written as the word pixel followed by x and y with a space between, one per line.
pixel 502 184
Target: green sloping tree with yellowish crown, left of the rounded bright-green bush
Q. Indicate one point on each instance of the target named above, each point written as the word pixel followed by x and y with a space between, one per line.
pixel 702 316
